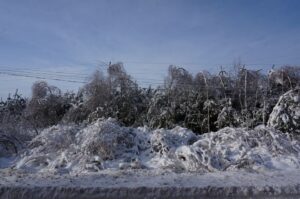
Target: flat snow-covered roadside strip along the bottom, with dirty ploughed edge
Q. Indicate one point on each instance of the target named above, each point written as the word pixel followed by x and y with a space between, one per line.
pixel 151 184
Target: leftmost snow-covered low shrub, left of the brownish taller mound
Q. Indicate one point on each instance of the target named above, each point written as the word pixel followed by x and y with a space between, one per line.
pixel 53 149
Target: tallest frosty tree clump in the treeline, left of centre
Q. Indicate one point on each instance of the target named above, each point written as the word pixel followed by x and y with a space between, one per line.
pixel 114 95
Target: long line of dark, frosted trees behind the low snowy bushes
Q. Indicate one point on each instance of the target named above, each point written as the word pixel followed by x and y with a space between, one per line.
pixel 202 102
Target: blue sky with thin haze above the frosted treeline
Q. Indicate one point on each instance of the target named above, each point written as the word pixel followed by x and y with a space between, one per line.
pixel 75 36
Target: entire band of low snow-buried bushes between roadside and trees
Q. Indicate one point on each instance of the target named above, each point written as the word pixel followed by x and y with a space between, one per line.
pixel 106 145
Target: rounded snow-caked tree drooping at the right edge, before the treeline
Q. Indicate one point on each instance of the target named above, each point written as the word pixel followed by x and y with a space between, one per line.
pixel 286 114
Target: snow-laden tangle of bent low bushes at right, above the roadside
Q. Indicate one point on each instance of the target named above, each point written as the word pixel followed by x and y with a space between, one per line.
pixel 232 149
